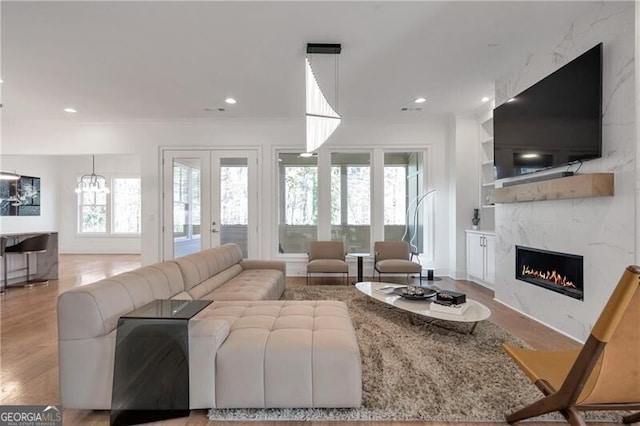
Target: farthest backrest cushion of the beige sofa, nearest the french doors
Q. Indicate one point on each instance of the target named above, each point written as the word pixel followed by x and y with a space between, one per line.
pixel 199 267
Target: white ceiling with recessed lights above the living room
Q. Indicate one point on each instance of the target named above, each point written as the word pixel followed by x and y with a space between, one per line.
pixel 123 60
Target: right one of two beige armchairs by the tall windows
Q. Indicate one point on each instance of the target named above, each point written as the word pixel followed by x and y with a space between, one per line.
pixel 394 257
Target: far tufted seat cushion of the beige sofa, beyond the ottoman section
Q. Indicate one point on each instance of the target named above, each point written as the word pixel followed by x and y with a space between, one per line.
pixel 252 284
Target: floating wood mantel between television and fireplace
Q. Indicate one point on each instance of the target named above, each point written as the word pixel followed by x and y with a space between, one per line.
pixel 577 186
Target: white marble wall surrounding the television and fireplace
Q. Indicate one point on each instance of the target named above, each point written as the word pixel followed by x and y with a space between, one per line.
pixel 603 230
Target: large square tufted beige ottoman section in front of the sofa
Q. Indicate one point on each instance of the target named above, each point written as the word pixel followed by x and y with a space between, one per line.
pixel 286 354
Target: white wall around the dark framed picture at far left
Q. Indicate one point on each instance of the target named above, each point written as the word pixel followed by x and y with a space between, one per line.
pixel 36 166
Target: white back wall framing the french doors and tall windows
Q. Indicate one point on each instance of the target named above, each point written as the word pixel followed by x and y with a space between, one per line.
pixel 146 138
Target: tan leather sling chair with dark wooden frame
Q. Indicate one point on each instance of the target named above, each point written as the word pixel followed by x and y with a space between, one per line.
pixel 603 375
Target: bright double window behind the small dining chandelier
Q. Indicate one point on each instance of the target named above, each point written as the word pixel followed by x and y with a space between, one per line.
pixel 116 213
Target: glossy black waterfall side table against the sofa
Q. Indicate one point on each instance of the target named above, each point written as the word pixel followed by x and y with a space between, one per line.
pixel 151 368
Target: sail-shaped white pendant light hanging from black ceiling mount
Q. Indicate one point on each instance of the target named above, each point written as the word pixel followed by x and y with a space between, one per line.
pixel 322 119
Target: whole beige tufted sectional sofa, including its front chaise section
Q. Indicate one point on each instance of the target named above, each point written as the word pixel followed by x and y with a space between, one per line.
pixel 242 347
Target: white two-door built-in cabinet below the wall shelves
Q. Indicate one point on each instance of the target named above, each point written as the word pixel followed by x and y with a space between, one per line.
pixel 481 258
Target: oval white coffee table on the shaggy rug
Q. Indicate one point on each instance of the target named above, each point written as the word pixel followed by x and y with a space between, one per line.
pixel 475 313
